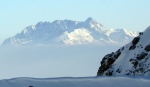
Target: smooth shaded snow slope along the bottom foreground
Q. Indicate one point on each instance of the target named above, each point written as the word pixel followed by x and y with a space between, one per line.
pixel 78 82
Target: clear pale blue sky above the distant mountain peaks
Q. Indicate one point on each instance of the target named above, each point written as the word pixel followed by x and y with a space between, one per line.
pixel 17 14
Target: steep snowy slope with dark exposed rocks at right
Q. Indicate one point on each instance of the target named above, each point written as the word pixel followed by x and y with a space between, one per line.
pixel 132 59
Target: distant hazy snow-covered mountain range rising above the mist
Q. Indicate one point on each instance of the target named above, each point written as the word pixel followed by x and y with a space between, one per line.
pixel 70 32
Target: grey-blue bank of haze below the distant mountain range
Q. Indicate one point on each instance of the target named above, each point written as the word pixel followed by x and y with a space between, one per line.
pixel 52 61
